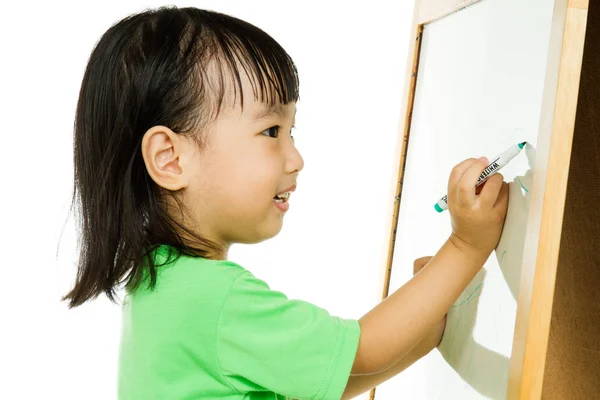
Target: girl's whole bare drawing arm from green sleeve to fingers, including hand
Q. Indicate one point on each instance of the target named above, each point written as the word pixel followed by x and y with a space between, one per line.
pixel 397 324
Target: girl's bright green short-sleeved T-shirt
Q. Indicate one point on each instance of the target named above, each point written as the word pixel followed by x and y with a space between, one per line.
pixel 211 330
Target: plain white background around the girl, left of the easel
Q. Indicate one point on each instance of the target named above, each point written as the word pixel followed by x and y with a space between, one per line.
pixel 351 58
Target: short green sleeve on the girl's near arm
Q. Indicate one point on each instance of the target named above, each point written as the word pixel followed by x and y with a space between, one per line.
pixel 267 342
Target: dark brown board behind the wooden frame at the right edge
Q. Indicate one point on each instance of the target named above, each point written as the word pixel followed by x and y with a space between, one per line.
pixel 573 356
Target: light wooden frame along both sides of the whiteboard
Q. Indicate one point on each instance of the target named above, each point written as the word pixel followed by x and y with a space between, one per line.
pixel 540 258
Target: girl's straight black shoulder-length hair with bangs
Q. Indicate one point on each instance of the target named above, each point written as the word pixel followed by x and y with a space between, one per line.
pixel 162 66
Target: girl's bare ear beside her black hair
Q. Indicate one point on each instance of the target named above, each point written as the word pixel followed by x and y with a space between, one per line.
pixel 162 150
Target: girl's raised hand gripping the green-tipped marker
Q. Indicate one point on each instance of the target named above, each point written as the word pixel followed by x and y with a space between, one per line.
pixel 477 219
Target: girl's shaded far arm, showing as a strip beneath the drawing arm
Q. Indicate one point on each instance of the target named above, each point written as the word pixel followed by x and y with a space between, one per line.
pixel 358 384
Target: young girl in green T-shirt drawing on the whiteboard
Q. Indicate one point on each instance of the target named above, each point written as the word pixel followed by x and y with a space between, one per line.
pixel 182 148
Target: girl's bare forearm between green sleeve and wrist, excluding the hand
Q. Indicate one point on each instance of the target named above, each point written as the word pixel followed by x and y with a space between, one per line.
pixel 414 309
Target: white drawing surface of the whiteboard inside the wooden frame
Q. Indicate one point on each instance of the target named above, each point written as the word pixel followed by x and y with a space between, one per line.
pixel 479 90
